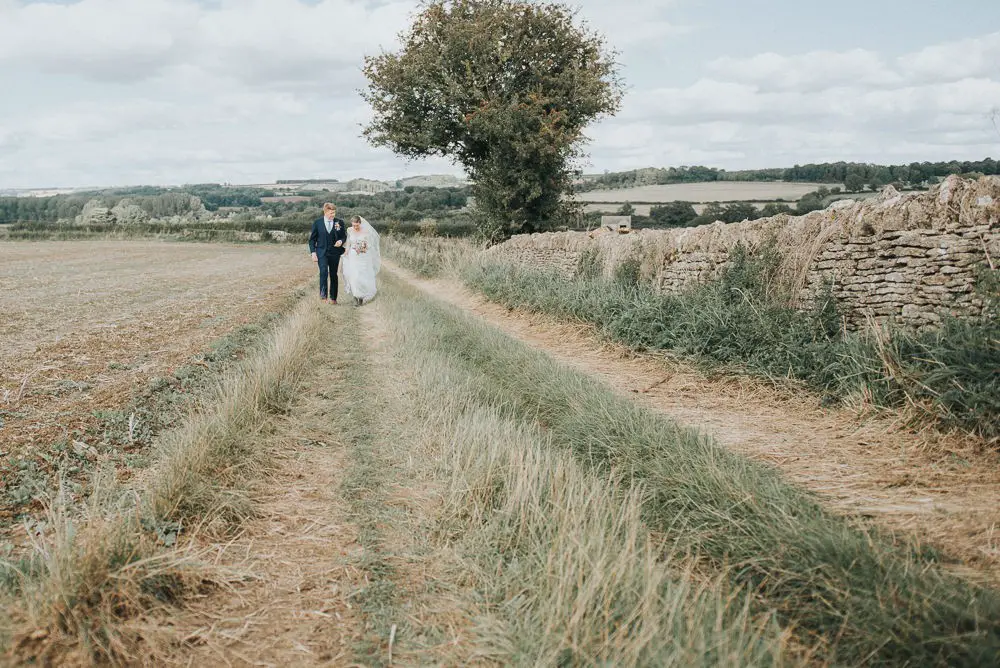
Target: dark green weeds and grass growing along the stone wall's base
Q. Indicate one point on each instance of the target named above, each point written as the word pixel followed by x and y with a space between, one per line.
pixel 740 321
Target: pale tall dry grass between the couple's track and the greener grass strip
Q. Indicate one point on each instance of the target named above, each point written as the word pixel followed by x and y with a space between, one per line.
pixel 564 570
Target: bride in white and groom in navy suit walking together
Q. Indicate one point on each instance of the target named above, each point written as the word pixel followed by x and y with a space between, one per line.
pixel 358 244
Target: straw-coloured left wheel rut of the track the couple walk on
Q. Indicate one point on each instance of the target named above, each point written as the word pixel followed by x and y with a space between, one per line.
pixel 296 565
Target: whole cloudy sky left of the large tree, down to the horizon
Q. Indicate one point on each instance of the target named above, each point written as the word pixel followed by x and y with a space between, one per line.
pixel 181 90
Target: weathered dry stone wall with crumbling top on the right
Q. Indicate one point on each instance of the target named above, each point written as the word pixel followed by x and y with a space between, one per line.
pixel 903 258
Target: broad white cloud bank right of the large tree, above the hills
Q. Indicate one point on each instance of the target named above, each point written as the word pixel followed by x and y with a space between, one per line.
pixel 776 109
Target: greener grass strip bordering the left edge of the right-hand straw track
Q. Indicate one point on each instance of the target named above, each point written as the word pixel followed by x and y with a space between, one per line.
pixel 866 601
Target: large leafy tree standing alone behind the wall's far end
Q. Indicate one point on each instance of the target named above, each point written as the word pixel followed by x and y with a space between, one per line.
pixel 503 87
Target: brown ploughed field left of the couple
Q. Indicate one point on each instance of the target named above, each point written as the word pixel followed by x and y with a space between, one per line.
pixel 87 326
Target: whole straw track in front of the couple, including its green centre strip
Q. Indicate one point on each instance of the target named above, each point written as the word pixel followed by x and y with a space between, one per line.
pixel 340 559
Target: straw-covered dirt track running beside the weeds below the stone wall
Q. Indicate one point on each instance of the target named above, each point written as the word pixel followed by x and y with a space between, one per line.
pixel 944 492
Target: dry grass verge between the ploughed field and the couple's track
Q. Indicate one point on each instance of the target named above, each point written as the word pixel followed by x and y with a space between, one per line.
pixel 91 573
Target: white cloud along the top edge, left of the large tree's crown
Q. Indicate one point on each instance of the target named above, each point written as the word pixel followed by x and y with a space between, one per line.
pixel 255 41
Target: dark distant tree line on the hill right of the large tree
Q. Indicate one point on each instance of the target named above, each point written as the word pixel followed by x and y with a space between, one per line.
pixel 854 175
